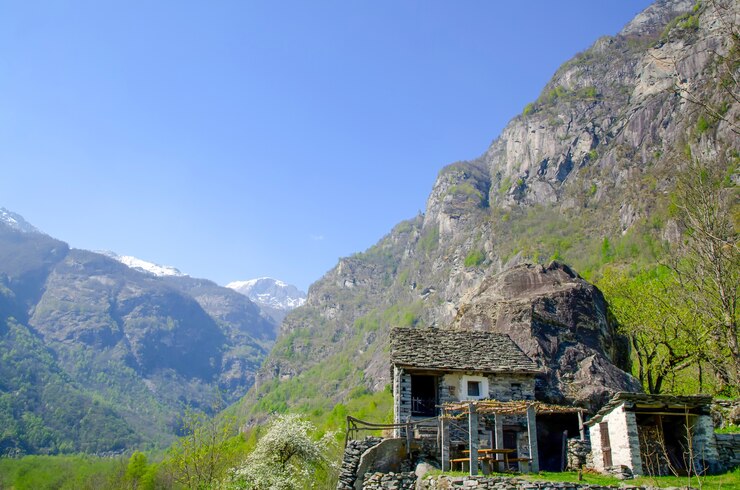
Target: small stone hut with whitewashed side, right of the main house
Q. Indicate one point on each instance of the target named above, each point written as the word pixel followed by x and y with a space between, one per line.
pixel 654 435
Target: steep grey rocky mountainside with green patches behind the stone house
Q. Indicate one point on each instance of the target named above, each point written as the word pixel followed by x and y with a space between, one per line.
pixel 585 175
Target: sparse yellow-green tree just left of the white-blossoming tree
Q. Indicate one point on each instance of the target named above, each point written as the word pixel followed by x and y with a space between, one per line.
pixel 201 458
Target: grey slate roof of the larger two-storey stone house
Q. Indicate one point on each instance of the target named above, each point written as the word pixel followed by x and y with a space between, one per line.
pixel 458 350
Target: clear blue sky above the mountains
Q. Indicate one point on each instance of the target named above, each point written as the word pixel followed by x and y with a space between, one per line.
pixel 236 139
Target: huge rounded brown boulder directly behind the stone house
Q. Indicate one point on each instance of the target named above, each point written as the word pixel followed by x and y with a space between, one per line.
pixel 560 321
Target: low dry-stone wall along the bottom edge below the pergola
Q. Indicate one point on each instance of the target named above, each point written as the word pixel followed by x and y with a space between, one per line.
pixel 502 483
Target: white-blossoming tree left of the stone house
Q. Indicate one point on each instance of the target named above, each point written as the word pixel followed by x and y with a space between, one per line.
pixel 285 458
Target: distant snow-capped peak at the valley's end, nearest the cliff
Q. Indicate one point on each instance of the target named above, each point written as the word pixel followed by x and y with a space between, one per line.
pixel 274 297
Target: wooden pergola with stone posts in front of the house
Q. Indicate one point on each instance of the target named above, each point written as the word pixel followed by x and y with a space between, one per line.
pixel 473 409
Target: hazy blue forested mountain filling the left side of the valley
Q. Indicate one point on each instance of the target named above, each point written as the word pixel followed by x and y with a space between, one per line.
pixel 99 356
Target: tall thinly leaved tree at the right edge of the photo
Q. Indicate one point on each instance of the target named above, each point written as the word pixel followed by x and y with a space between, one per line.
pixel 707 261
